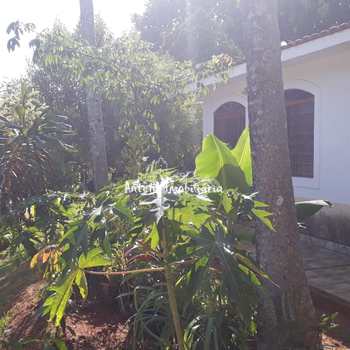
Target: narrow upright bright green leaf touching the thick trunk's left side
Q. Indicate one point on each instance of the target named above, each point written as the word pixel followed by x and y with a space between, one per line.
pixel 242 153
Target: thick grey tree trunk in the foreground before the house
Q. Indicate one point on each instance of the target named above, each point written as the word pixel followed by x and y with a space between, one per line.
pixel 288 320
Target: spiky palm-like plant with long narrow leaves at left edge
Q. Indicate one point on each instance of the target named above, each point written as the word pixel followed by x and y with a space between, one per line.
pixel 30 144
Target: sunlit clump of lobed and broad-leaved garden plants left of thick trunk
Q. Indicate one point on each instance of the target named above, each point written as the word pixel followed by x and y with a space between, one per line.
pixel 177 242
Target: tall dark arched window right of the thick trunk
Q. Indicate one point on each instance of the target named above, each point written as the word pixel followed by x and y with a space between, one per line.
pixel 300 117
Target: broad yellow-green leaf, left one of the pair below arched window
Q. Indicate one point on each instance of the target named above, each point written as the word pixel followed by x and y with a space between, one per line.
pixel 217 162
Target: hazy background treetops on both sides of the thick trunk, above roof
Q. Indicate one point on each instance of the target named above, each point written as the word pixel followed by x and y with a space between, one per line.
pixel 197 29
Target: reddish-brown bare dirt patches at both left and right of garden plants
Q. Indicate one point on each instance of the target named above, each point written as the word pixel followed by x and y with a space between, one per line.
pixel 103 328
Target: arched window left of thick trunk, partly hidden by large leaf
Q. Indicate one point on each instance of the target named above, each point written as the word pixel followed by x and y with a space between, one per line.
pixel 229 122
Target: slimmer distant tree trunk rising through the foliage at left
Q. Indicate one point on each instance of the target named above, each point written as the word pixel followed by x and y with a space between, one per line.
pixel 93 106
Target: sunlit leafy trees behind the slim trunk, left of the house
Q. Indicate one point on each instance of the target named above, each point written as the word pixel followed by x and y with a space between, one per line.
pixel 148 112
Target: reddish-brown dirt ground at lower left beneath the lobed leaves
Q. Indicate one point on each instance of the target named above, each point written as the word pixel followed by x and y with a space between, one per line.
pixel 93 327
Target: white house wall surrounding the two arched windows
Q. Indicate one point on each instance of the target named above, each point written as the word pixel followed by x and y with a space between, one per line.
pixel 326 74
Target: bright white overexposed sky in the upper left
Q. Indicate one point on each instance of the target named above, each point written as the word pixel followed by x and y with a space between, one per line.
pixel 43 13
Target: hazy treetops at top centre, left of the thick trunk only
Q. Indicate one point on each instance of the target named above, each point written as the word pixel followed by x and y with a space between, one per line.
pixel 188 29
